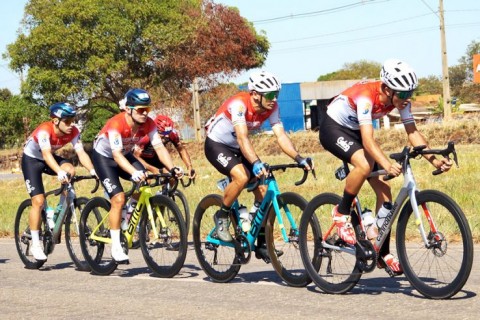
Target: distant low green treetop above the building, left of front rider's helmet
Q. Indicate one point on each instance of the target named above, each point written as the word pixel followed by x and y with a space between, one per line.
pixel 362 69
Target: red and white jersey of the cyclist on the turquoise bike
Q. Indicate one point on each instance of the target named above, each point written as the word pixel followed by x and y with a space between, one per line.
pixel 238 110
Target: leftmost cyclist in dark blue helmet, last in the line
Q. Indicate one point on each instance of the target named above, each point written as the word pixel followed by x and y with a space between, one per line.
pixel 38 157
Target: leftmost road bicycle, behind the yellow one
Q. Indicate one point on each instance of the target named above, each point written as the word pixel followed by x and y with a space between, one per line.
pixel 69 214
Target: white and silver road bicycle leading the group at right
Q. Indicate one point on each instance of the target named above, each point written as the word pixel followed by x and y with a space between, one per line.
pixel 433 239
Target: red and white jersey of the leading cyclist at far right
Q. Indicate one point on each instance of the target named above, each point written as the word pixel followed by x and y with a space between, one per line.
pixel 360 103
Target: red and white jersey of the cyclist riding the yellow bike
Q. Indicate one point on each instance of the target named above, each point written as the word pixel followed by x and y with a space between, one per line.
pixel 118 135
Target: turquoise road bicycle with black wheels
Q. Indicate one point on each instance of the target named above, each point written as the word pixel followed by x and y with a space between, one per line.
pixel 221 260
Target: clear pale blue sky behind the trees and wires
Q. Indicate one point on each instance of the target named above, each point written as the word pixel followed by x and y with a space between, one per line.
pixel 311 38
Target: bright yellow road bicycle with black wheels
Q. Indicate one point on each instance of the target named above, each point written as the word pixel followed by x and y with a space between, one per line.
pixel 162 233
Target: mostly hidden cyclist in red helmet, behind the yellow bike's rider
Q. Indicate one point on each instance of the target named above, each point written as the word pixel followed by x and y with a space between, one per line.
pixel 144 150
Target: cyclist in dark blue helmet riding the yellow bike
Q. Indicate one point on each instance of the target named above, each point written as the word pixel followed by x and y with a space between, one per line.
pixel 113 159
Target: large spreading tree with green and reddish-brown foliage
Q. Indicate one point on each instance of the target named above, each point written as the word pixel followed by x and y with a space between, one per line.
pixel 95 50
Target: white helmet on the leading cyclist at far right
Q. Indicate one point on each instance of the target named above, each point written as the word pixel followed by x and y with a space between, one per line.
pixel 398 75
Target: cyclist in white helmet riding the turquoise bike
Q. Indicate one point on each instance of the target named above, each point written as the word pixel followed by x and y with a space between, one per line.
pixel 230 151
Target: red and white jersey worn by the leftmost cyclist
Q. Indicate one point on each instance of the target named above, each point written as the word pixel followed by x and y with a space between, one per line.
pixel 44 138
